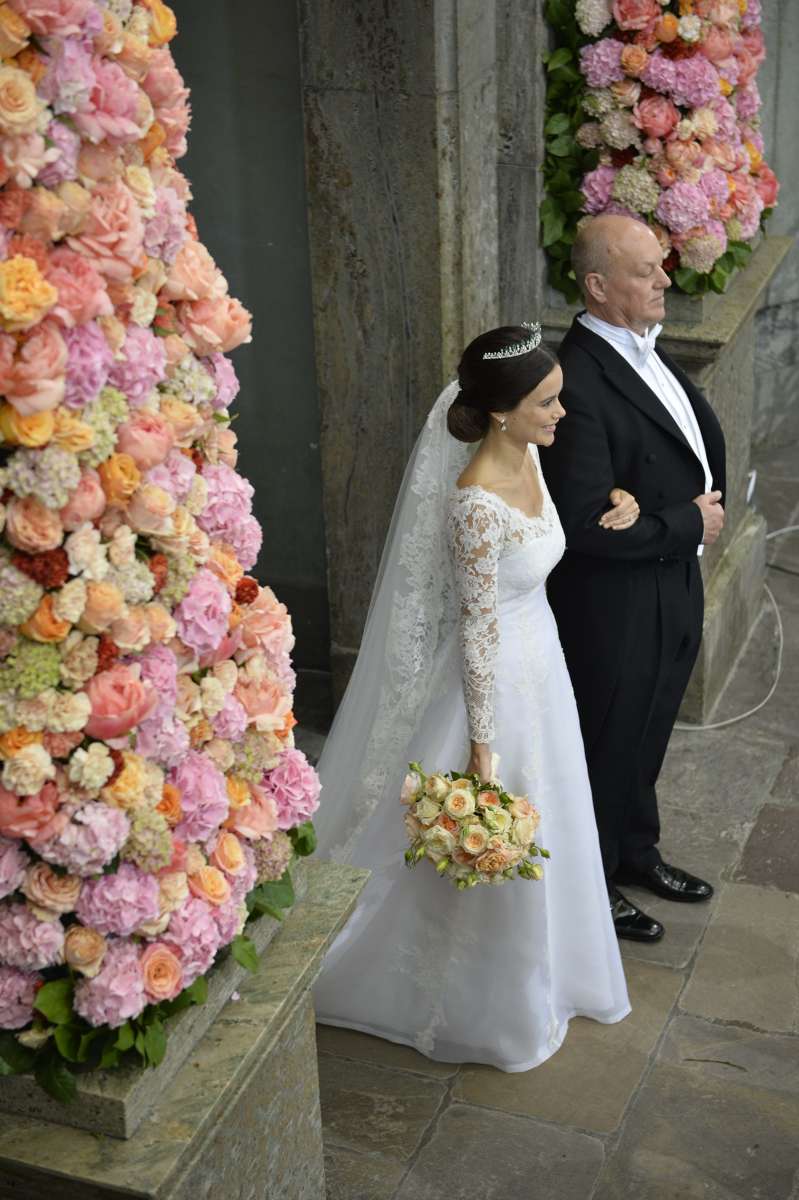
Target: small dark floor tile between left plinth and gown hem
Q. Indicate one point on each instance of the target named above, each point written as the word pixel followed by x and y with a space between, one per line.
pixel 375 1111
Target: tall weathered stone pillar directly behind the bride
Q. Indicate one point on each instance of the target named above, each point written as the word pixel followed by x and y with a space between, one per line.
pixel 420 152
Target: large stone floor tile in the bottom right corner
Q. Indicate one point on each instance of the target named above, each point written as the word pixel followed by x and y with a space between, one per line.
pixel 716 1120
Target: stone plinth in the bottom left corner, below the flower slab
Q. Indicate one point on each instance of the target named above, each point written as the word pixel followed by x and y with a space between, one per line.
pixel 209 1135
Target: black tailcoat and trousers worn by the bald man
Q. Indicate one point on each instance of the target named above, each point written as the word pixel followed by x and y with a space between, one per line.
pixel 629 603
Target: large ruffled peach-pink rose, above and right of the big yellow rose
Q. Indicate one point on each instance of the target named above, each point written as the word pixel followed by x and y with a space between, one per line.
pixel 113 232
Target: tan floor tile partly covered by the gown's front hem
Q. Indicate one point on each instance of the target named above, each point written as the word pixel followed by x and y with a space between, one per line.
pixel 588 1083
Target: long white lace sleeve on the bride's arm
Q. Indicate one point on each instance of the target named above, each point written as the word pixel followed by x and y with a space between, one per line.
pixel 476 536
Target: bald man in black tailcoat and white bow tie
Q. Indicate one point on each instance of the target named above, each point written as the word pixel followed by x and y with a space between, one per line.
pixel 629 603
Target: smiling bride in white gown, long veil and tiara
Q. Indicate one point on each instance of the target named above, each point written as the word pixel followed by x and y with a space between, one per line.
pixel 461 661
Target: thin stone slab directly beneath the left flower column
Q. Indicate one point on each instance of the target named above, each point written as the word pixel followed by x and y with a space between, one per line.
pixel 116 1102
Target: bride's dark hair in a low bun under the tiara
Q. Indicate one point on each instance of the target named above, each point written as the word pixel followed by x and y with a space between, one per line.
pixel 495 386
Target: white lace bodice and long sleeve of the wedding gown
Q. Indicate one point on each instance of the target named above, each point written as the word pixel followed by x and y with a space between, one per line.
pixel 498 555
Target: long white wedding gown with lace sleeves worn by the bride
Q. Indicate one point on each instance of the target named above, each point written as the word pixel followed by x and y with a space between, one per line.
pixel 492 975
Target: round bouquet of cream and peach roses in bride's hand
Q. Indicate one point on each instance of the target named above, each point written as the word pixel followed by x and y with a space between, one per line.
pixel 471 832
